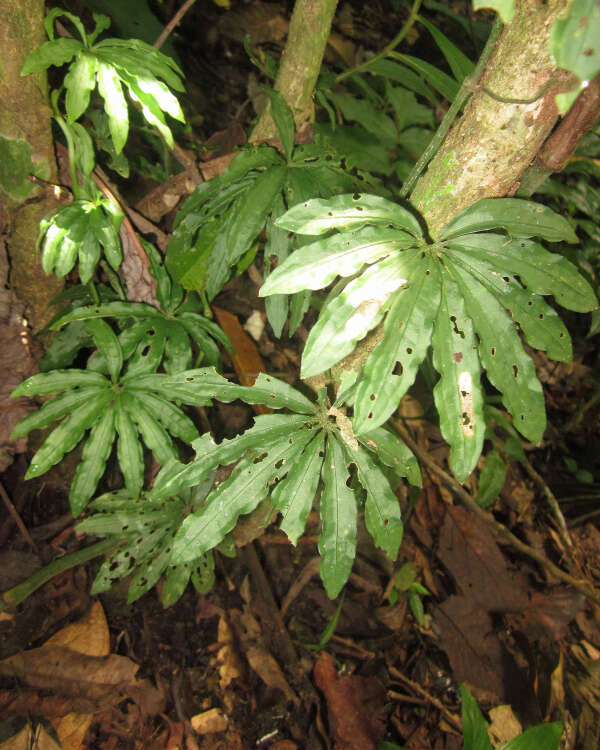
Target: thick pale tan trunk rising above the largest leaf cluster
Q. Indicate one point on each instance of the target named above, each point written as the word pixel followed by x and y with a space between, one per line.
pixel 495 140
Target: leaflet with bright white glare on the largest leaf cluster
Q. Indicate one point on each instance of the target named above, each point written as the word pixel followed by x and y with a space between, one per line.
pixel 349 316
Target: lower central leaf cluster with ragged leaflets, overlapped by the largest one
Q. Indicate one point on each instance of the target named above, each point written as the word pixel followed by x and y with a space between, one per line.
pixel 290 458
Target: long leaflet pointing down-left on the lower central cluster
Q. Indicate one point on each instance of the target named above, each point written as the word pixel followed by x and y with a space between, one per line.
pixel 238 495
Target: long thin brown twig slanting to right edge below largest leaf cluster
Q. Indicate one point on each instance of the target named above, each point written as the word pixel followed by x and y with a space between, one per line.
pixel 469 501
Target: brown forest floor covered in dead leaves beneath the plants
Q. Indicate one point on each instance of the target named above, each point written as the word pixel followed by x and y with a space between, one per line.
pixel 265 659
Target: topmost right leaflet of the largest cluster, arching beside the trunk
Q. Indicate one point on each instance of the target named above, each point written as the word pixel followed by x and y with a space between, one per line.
pixel 520 218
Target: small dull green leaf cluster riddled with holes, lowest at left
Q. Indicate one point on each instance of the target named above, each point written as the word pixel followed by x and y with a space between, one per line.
pixel 143 530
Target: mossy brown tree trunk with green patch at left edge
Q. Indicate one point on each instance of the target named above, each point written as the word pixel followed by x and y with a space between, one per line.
pixel 25 148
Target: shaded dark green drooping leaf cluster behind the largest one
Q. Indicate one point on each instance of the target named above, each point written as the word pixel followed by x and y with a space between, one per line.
pixel 219 225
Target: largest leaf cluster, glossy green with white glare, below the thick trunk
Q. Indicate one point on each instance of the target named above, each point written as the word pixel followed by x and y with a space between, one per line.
pixel 469 295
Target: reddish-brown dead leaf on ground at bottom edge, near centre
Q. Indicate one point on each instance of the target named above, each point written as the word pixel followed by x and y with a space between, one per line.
pixel 356 717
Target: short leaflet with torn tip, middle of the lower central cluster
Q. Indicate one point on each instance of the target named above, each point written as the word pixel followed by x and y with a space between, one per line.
pixel 294 495
